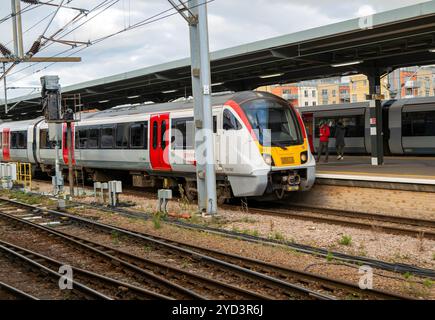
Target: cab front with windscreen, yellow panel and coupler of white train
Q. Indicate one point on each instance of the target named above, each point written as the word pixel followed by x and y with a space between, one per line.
pixel 282 141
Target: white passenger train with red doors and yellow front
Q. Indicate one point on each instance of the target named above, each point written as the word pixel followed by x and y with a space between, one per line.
pixel 261 146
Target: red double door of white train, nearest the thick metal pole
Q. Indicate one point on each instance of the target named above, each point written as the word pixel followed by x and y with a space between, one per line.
pixel 159 142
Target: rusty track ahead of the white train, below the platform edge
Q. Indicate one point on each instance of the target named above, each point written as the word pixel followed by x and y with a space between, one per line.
pixel 383 223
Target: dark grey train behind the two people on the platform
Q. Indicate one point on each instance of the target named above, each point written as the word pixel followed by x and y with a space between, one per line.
pixel 409 126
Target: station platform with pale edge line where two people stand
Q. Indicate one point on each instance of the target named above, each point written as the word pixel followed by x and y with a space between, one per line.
pixel 402 173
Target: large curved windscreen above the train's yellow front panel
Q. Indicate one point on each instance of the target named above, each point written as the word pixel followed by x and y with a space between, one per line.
pixel 274 122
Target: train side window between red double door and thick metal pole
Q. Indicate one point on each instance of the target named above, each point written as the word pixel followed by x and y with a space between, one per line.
pixel 183 133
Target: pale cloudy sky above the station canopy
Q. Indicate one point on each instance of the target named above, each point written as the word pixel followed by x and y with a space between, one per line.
pixel 231 22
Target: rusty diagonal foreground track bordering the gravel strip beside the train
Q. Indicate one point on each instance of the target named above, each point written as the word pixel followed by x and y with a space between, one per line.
pixel 304 285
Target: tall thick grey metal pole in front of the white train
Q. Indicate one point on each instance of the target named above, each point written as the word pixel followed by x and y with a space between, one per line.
pixel 201 86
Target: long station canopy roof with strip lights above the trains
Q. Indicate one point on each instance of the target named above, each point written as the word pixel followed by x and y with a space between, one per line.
pixel 386 41
